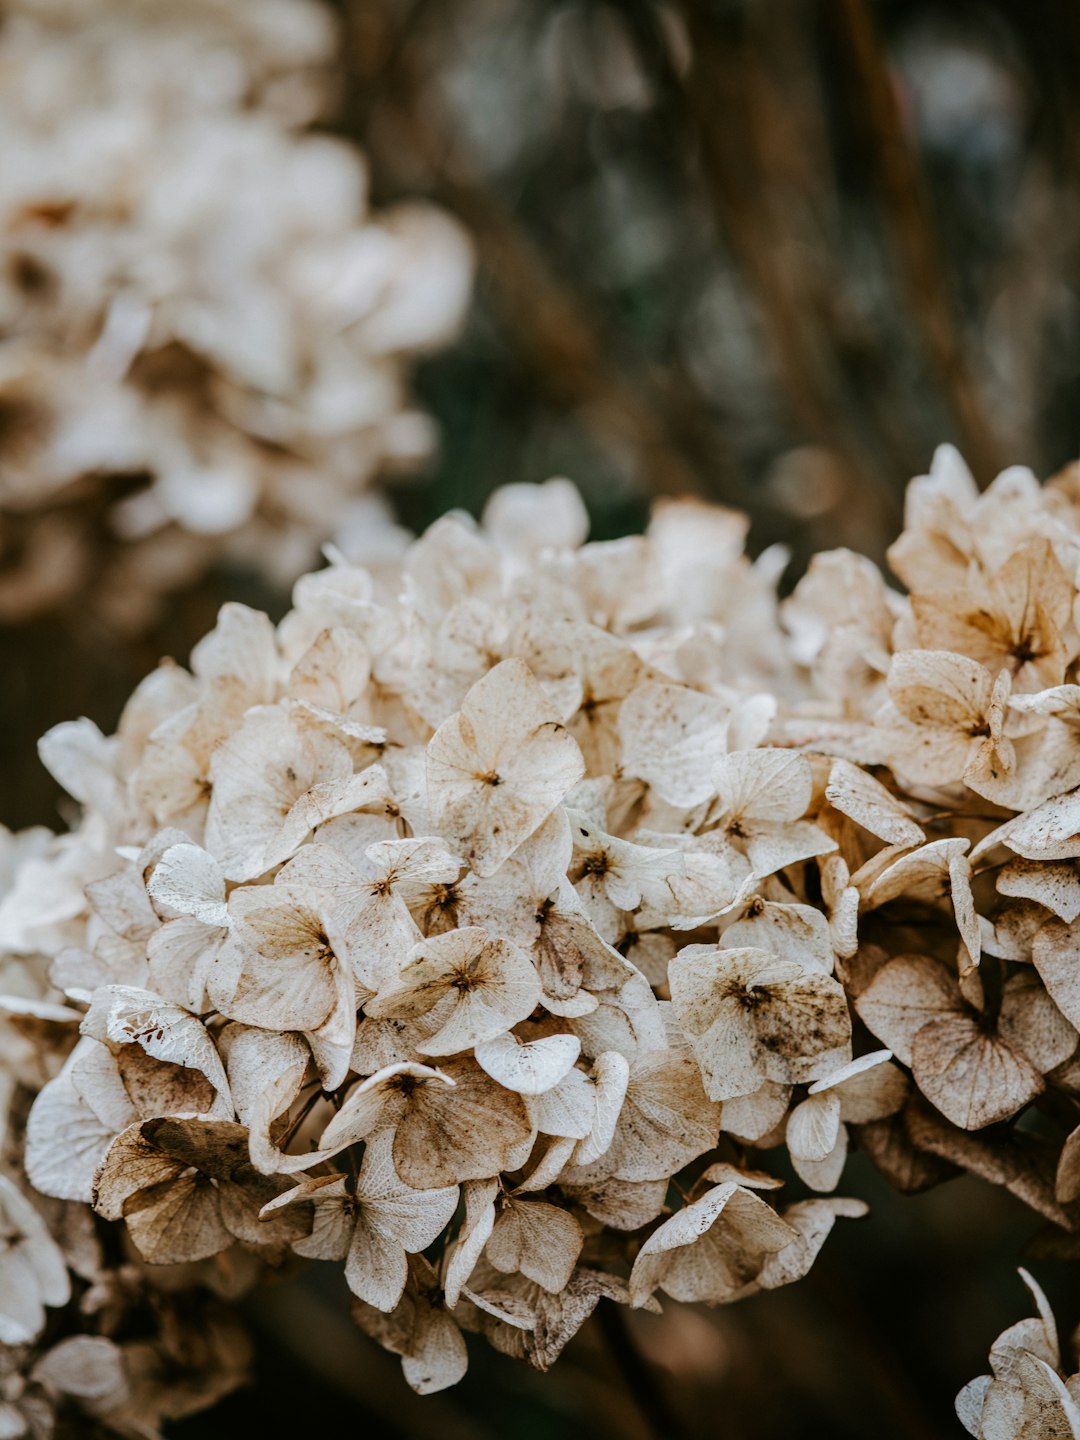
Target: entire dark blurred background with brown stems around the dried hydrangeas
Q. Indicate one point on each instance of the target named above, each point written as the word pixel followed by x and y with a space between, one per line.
pixel 770 253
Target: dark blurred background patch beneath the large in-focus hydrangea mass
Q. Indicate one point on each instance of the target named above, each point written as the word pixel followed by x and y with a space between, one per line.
pixel 898 1313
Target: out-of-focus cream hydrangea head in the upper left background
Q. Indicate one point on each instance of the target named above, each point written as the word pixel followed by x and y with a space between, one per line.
pixel 205 333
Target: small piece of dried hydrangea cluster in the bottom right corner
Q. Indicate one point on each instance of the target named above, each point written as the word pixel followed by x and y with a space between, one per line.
pixel 1027 1395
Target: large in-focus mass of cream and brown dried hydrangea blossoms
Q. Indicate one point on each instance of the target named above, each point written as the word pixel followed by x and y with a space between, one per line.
pixel 486 925
